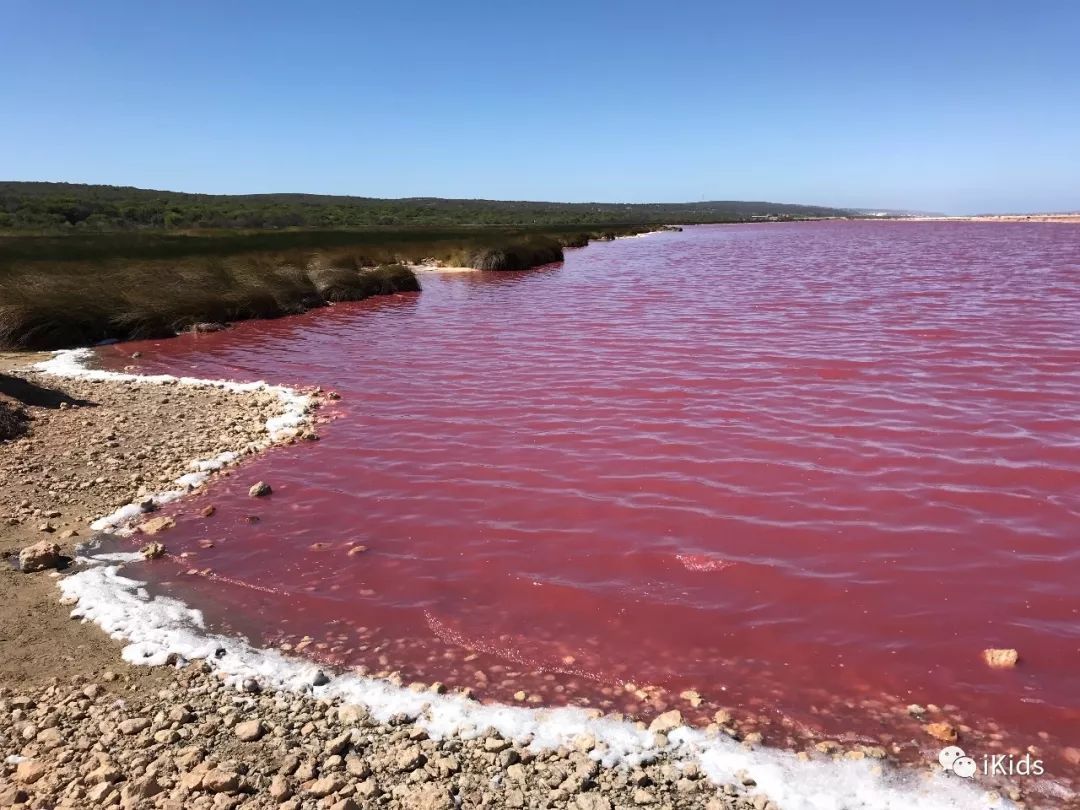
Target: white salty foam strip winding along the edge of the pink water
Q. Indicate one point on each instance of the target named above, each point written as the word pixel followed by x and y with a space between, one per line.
pixel 157 629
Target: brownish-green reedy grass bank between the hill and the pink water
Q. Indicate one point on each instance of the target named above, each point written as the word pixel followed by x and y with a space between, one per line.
pixel 59 291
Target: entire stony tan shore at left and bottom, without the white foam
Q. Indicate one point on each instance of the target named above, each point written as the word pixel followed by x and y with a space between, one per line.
pixel 80 728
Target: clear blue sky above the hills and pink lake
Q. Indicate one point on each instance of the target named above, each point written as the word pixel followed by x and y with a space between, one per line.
pixel 947 106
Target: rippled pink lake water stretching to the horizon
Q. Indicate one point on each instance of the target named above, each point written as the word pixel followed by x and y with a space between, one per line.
pixel 808 470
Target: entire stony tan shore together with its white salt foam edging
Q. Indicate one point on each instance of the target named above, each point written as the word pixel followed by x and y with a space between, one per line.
pixel 247 727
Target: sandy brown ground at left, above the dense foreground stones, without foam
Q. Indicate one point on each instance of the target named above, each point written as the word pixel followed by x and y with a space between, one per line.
pixel 89 449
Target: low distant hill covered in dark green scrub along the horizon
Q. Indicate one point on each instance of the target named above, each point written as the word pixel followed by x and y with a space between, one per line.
pixel 52 207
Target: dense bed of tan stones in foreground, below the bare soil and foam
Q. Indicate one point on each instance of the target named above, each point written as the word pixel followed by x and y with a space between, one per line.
pixel 102 741
